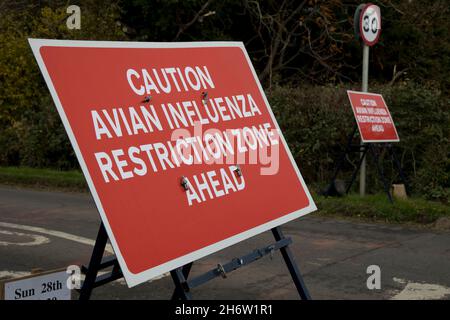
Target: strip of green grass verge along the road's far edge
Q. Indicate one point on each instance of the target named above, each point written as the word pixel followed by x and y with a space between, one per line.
pixel 371 207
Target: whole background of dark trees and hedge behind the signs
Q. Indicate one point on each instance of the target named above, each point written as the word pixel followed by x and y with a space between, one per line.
pixel 304 51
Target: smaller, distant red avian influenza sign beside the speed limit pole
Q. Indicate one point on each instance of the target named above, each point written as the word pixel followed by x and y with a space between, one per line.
pixel 372 115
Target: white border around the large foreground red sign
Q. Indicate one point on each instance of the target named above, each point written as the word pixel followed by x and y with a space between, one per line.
pixel 131 278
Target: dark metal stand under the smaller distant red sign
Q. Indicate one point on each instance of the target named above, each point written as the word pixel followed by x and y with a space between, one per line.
pixel 374 149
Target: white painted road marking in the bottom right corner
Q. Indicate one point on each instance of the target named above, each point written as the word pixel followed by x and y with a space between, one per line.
pixel 420 291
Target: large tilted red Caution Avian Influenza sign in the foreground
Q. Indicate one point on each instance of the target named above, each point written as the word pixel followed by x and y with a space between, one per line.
pixel 178 144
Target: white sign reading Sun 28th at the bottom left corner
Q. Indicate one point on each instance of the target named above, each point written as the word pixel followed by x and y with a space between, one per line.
pixel 51 286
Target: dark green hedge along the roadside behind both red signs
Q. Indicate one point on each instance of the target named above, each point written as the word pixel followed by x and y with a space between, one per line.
pixel 315 120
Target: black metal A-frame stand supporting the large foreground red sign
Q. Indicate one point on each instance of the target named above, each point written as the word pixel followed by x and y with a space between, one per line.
pixel 180 276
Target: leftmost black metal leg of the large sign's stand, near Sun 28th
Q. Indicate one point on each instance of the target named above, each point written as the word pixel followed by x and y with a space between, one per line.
pixel 94 264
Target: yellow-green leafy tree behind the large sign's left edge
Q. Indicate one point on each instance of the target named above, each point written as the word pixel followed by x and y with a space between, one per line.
pixel 31 132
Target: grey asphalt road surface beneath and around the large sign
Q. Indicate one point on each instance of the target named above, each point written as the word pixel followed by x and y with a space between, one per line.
pixel 51 230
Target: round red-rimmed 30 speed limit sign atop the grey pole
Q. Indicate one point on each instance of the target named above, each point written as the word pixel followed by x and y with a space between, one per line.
pixel 370 24
